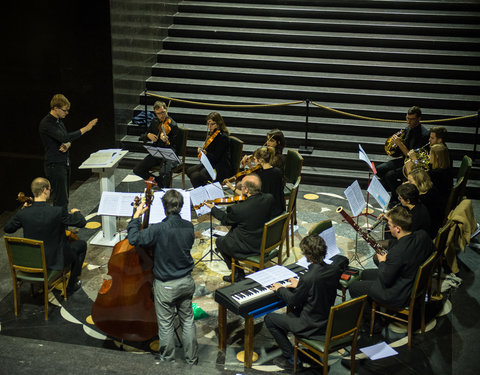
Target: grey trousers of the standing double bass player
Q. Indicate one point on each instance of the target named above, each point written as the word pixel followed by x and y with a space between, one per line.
pixel 171 298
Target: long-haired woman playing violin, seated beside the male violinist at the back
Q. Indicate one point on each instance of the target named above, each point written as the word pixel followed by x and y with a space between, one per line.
pixel 217 150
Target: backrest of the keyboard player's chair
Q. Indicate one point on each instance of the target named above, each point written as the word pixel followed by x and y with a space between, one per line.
pixel 345 319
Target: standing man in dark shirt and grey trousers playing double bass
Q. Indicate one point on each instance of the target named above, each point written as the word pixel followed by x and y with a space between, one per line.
pixel 173 287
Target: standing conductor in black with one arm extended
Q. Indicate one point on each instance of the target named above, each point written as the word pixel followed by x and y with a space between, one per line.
pixel 57 142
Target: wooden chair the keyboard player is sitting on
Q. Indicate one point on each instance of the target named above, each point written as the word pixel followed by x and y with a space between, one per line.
pixel 342 330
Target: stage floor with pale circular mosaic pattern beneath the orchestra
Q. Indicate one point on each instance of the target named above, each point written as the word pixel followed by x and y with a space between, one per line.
pixel 445 349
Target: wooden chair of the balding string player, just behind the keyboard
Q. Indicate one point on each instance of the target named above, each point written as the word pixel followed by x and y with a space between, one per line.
pixel 274 233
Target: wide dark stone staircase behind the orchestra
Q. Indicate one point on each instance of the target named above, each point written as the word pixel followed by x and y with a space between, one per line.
pixel 375 59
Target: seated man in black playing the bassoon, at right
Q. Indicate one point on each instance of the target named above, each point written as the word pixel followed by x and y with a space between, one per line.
pixel 392 282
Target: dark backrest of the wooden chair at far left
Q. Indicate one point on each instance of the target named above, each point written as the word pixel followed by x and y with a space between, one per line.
pixel 25 254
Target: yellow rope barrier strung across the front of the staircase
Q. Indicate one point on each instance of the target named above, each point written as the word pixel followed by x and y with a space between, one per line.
pixel 299 102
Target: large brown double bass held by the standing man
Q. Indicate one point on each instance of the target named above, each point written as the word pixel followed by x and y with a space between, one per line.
pixel 124 307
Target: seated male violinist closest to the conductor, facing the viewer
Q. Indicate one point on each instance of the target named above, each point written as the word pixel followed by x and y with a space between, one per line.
pixel 162 132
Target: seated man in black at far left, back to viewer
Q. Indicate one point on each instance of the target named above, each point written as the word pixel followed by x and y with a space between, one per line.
pixel 46 223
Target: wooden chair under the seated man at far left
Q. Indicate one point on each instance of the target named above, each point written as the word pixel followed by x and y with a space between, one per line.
pixel 27 263
